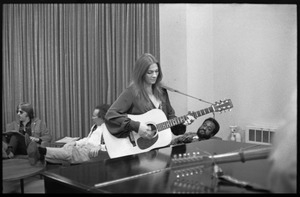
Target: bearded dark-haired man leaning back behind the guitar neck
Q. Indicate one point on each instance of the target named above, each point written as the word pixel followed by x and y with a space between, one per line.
pixel 208 129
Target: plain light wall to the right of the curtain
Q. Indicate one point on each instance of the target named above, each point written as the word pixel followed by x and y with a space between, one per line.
pixel 243 52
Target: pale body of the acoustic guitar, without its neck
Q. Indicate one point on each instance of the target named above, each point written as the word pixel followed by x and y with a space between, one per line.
pixel 118 147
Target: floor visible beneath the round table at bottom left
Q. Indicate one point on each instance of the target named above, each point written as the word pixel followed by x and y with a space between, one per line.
pixel 33 184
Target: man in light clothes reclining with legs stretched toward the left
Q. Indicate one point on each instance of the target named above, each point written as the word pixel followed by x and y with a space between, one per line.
pixel 76 151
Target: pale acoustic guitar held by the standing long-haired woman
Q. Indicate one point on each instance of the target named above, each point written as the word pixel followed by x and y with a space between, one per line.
pixel 160 126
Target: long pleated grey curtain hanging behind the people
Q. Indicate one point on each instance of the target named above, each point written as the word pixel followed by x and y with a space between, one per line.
pixel 65 59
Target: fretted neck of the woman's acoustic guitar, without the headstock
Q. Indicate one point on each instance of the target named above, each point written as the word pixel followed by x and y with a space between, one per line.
pixel 179 120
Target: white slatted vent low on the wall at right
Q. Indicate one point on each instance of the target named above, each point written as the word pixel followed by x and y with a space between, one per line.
pixel 259 135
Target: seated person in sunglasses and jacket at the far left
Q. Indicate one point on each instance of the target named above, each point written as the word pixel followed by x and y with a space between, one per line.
pixel 21 132
